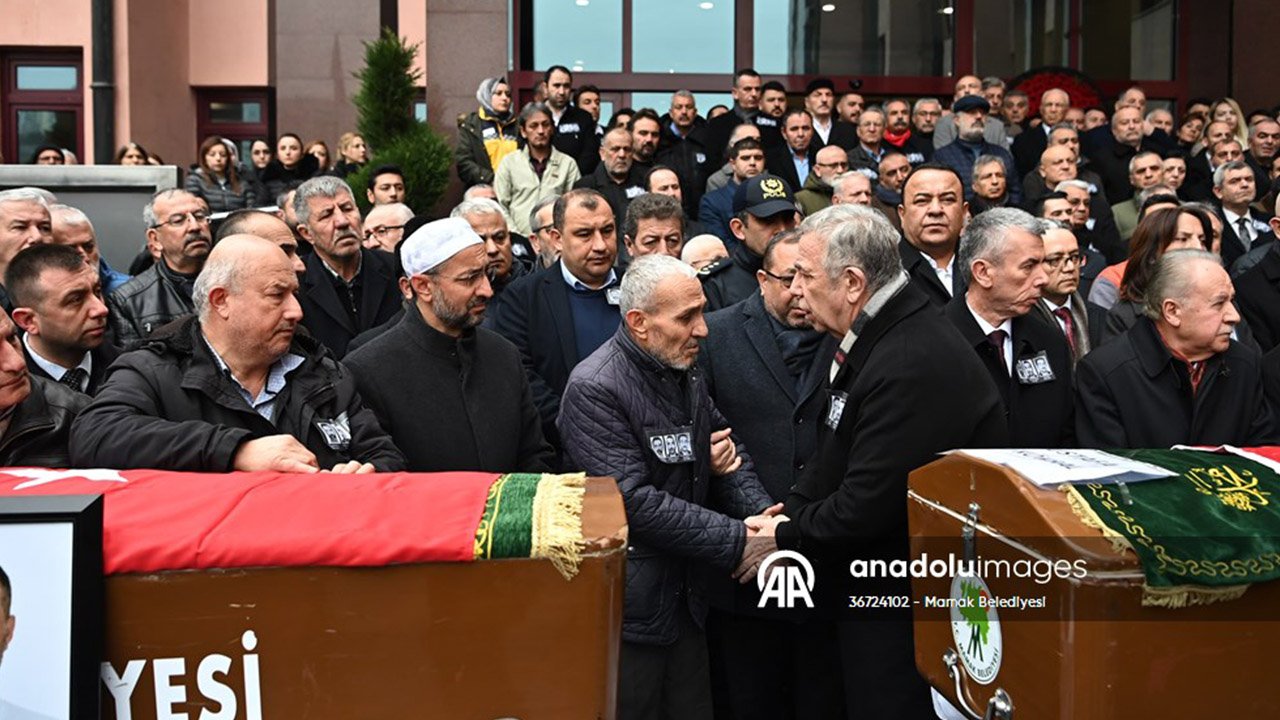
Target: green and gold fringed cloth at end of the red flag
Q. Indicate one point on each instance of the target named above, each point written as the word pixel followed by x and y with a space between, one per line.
pixel 532 516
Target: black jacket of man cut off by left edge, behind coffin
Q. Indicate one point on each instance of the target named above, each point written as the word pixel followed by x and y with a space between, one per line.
pixel 42 427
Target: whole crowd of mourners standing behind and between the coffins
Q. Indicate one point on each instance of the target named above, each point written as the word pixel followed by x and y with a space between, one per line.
pixel 758 322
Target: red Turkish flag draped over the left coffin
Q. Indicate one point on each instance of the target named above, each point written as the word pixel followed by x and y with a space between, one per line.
pixel 158 521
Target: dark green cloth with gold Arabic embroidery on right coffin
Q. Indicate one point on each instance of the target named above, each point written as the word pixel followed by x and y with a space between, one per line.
pixel 1203 536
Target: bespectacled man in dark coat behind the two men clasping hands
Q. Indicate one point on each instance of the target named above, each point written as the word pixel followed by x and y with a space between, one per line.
pixel 769 345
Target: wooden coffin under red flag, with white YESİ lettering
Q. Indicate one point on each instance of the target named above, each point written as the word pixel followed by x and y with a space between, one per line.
pixel 260 595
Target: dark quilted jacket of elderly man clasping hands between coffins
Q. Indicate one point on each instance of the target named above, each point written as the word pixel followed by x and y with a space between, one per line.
pixel 628 417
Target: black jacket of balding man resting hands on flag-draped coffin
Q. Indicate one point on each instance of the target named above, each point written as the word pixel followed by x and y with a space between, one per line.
pixel 170 407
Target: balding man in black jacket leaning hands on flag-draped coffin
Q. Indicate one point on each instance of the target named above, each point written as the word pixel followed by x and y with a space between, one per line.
pixel 235 388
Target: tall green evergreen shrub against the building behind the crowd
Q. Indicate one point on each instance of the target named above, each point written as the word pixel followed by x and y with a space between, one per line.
pixel 385 107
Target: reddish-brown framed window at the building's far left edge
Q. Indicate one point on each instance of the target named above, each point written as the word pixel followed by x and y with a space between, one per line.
pixel 43 104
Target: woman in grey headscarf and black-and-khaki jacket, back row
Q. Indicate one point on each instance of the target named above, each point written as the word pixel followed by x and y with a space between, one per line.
pixel 488 135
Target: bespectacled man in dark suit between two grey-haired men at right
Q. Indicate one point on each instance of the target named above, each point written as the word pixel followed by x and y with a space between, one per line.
pixel 1062 300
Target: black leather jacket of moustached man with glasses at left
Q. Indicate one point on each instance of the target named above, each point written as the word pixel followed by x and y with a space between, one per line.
pixel 153 299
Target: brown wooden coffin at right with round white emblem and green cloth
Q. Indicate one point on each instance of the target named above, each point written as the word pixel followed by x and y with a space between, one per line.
pixel 1041 595
